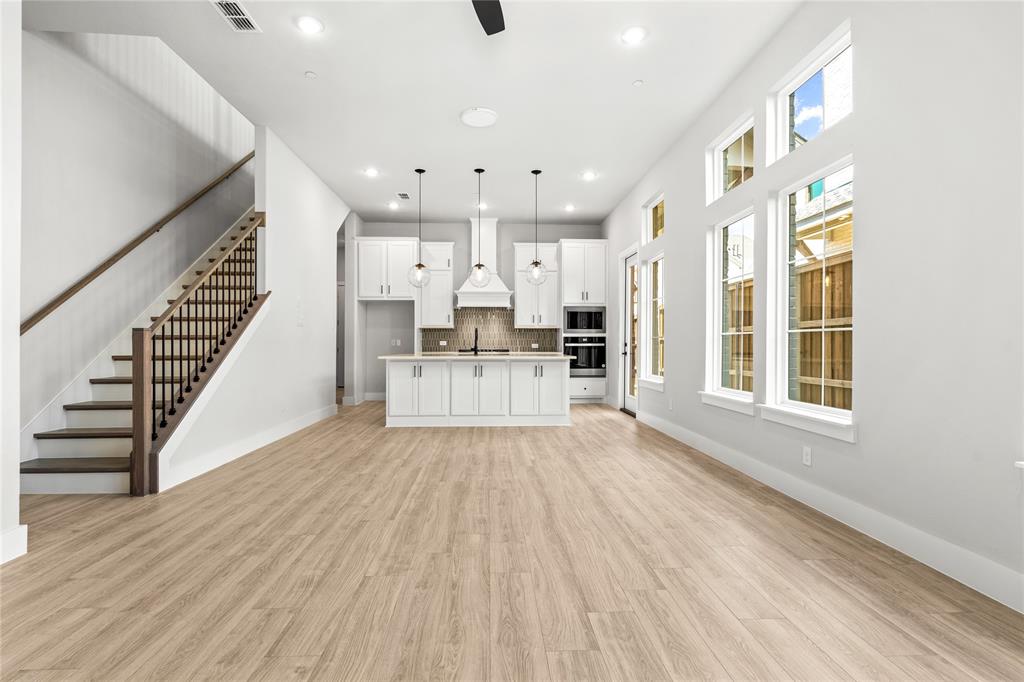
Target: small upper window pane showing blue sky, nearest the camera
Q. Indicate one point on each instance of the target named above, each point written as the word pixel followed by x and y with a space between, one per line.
pixel 823 100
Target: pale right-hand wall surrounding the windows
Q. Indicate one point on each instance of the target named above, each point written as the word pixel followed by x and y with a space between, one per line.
pixel 938 287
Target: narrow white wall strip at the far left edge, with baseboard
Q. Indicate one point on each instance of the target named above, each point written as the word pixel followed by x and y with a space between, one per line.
pixel 14 537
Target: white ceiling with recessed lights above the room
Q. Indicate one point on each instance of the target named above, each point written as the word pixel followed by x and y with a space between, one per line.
pixel 394 77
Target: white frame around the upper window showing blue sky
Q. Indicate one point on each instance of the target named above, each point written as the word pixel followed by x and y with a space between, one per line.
pixel 778 120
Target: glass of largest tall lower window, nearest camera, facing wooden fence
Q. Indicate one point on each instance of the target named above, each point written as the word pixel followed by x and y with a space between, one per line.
pixel 820 355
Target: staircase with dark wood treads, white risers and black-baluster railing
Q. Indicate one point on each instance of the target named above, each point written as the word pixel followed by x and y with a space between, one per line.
pixel 111 443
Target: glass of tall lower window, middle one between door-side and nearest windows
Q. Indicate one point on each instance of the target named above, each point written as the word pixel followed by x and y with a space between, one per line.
pixel 735 270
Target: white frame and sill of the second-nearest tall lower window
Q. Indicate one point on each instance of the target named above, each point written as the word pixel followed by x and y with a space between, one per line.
pixel 715 394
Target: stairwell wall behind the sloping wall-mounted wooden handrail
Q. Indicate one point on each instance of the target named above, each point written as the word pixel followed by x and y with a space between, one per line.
pixel 118 132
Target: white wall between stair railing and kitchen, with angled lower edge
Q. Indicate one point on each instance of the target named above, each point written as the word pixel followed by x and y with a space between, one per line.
pixel 284 376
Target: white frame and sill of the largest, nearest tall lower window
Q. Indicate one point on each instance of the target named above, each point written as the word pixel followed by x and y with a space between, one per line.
pixel 779 407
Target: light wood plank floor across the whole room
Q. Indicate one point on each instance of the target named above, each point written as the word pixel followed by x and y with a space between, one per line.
pixel 602 551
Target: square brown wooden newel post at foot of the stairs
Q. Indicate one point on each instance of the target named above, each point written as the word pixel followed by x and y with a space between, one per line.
pixel 144 411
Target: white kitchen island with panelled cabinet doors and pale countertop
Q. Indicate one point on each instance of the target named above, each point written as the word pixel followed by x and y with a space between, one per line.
pixel 485 390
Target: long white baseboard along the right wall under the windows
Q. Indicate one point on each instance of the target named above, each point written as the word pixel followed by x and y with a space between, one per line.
pixel 991 578
